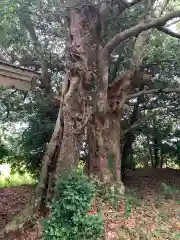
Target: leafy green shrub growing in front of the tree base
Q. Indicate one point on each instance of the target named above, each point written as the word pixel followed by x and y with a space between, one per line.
pixel 70 218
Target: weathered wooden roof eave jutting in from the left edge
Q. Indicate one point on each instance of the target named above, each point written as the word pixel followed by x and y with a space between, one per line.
pixel 15 77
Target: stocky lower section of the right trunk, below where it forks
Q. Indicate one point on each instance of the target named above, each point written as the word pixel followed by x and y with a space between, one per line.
pixel 104 148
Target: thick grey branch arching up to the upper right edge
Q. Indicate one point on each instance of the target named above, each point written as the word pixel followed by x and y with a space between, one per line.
pixel 136 30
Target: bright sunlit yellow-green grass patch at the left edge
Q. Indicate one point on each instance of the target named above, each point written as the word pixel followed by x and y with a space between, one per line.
pixel 15 180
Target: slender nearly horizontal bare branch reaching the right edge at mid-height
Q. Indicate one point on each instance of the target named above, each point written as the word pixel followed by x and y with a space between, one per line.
pixel 152 91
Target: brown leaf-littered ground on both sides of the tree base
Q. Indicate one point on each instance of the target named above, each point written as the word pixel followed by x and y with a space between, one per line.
pixel 149 210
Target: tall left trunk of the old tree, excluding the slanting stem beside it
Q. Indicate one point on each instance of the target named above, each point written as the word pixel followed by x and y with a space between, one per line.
pixel 84 39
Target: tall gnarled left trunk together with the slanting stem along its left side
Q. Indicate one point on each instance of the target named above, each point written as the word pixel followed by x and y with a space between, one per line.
pixel 64 148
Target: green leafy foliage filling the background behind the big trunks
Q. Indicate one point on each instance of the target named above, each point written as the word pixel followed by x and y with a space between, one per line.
pixel 33 35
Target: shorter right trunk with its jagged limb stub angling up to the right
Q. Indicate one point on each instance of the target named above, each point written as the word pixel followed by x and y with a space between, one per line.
pixel 105 139
